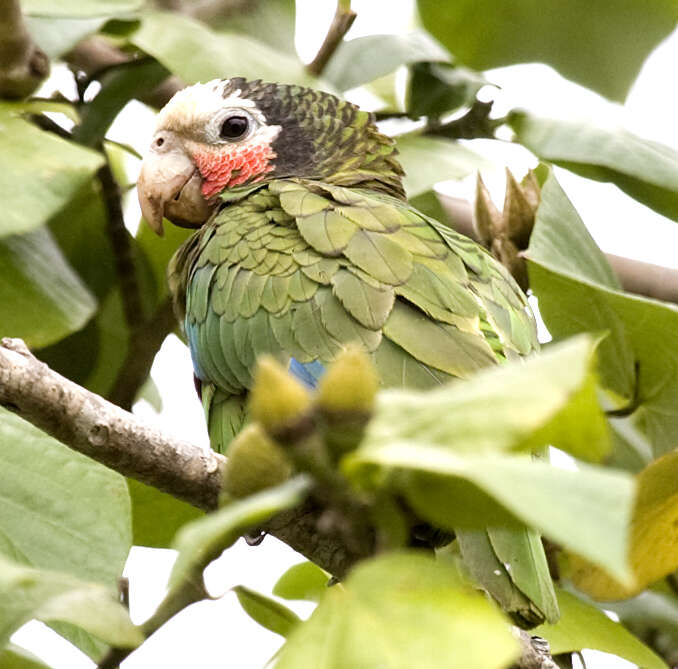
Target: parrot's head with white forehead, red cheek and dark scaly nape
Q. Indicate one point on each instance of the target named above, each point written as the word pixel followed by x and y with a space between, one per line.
pixel 229 134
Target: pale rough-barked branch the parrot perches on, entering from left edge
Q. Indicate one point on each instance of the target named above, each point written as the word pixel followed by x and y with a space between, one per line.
pixel 120 440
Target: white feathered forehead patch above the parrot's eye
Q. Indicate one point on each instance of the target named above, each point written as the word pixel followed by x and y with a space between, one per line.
pixel 195 105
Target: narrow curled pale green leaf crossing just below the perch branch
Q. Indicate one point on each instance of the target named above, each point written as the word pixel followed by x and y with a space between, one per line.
pixel 206 538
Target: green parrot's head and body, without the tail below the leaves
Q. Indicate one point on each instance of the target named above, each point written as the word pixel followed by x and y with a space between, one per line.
pixel 305 242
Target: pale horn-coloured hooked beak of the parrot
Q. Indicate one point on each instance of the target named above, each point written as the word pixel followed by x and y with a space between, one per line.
pixel 170 185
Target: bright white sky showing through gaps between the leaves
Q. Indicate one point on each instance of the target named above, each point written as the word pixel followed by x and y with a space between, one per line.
pixel 216 634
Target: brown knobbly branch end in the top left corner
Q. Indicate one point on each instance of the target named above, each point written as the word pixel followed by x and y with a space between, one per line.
pixel 23 65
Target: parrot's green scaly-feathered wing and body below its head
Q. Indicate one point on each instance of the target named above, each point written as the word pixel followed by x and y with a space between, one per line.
pixel 301 268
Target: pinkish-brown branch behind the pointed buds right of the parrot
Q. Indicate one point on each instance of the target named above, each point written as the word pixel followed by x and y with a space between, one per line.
pixel 641 278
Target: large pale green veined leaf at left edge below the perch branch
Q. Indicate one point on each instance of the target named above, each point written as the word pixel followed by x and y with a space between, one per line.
pixel 66 512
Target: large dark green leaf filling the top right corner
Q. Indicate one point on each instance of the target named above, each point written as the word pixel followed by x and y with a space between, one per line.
pixel 587 42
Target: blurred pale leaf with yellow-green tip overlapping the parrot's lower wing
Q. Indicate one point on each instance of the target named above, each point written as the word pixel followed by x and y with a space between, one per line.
pixel 547 400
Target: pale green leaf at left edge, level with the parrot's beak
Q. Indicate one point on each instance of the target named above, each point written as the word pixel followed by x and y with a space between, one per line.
pixel 39 172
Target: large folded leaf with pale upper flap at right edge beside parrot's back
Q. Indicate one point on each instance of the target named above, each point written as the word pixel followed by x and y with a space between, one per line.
pixel 577 293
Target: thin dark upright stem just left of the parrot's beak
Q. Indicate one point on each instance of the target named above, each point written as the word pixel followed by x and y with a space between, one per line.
pixel 122 249
